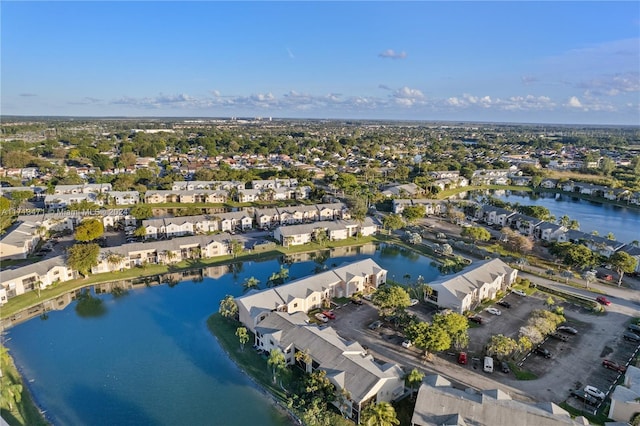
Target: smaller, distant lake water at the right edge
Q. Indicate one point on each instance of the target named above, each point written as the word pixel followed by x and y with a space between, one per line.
pixel 623 222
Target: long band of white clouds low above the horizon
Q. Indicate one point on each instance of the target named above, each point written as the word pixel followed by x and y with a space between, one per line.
pixel 407 99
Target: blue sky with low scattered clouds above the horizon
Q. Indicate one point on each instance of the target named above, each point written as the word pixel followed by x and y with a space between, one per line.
pixel 540 62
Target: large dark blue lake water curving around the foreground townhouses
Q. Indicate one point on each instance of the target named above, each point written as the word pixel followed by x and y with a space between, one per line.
pixel 148 357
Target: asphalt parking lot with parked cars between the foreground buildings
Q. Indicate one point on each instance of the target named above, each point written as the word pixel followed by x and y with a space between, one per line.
pixel 574 363
